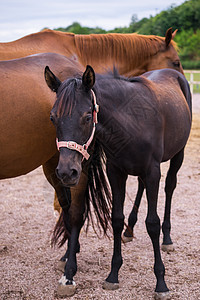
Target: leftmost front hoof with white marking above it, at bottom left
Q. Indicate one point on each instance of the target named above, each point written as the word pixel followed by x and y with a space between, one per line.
pixel 66 288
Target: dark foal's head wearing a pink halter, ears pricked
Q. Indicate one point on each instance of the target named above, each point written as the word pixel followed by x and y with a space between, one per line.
pixel 73 115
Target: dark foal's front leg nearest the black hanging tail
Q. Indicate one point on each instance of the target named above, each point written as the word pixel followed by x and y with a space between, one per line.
pixel 117 181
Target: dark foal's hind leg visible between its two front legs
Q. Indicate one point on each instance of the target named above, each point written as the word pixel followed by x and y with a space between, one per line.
pixel 132 219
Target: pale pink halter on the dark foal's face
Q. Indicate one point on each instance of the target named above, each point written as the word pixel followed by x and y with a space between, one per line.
pixel 82 148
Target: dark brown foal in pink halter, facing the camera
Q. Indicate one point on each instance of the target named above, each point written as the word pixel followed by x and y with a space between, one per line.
pixel 142 122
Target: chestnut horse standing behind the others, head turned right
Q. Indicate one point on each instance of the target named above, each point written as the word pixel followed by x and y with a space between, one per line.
pixel 132 54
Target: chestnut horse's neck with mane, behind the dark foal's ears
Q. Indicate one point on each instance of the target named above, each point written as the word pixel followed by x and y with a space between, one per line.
pixel 128 52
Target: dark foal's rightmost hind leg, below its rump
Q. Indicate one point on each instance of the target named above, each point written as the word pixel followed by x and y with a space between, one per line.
pixel 170 185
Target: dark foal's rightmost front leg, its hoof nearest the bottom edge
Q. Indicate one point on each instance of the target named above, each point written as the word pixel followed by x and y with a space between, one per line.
pixel 153 225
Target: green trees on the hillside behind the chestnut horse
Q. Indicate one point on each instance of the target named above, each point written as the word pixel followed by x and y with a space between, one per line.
pixel 185 18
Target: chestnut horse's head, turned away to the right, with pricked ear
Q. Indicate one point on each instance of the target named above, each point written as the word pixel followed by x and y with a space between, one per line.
pixel 168 58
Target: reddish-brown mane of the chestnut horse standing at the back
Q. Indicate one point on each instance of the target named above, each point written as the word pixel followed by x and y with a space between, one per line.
pixel 132 49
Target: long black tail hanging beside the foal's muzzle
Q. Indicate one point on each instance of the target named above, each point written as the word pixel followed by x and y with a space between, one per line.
pixel 98 191
